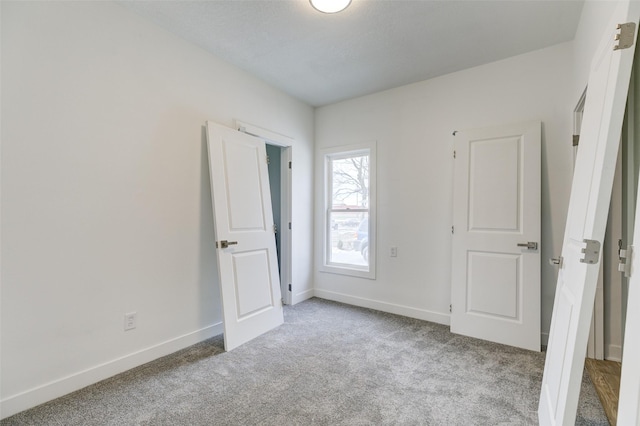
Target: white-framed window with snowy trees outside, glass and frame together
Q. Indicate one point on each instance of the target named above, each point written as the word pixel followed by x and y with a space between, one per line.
pixel 350 217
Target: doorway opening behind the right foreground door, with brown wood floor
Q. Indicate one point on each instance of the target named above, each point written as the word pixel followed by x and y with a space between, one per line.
pixel 606 338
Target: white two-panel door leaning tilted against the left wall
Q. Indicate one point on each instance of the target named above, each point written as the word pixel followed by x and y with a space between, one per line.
pixel 245 242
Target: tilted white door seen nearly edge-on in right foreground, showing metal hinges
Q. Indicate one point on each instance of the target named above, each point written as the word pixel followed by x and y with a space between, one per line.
pixel 587 216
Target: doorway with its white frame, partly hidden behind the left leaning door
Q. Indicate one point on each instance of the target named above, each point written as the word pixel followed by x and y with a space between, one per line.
pixel 279 154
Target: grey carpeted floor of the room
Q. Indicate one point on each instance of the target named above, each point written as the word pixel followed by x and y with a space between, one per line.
pixel 329 364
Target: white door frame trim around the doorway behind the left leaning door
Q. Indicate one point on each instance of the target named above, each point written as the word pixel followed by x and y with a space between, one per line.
pixel 286 201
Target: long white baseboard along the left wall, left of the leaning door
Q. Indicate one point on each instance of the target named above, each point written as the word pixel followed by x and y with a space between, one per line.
pixel 57 388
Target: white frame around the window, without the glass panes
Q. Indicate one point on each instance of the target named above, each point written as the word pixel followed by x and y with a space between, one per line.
pixel 328 155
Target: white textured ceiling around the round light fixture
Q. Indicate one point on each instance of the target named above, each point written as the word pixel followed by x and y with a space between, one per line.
pixel 374 45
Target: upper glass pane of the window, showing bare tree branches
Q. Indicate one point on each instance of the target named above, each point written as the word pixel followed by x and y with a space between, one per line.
pixel 350 182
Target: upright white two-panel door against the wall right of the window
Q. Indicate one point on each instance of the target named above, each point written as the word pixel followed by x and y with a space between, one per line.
pixel 495 290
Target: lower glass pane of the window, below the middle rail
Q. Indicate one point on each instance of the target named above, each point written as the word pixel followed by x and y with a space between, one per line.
pixel 349 232
